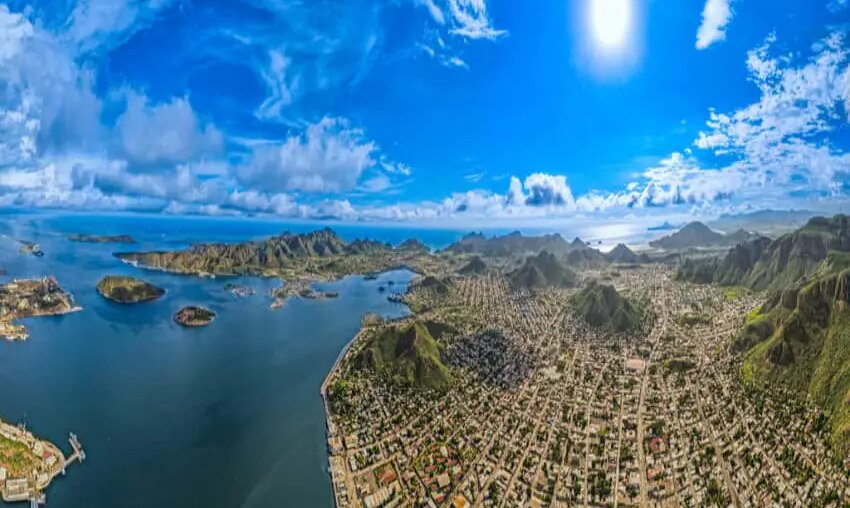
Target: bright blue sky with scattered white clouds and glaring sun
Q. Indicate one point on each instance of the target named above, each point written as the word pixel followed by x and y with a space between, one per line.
pixel 461 113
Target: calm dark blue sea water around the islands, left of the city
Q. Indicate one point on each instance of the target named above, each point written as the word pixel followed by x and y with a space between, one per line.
pixel 223 416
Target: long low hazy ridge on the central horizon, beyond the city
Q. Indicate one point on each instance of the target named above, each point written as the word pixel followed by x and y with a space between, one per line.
pixel 513 244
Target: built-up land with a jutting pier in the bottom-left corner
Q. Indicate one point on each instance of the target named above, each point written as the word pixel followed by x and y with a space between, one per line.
pixel 28 465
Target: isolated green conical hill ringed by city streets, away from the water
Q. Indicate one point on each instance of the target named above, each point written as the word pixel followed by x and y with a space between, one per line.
pixel 602 306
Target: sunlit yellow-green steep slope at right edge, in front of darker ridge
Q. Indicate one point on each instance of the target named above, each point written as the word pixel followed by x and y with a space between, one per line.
pixel 800 338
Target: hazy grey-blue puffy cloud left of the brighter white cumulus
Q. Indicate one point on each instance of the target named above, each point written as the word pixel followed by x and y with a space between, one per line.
pixel 164 134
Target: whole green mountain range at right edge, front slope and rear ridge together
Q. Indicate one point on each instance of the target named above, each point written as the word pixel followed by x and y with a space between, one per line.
pixel 800 338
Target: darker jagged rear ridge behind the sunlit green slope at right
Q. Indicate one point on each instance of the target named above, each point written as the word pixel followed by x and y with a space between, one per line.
pixel 773 264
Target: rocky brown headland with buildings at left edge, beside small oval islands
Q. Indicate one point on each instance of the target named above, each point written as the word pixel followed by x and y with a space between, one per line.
pixel 30 298
